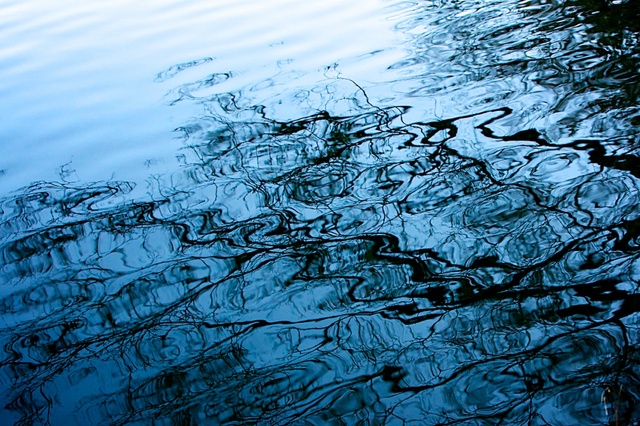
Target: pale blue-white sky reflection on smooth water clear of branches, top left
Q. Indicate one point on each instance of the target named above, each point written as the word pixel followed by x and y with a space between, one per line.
pixel 78 92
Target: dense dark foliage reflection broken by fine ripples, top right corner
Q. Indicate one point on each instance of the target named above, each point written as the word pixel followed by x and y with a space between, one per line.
pixel 568 66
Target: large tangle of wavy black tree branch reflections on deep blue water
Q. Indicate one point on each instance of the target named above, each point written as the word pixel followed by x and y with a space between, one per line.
pixel 347 265
